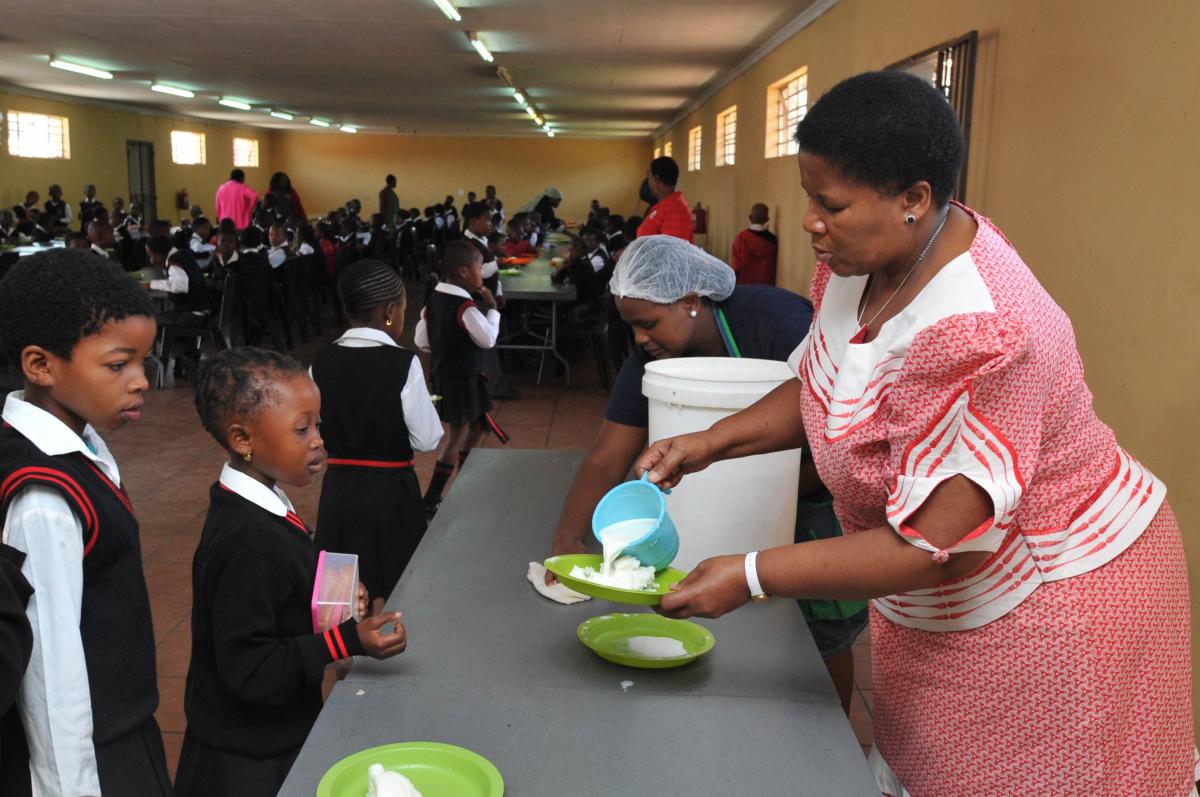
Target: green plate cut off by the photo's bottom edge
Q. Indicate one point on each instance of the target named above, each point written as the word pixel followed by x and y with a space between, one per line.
pixel 437 770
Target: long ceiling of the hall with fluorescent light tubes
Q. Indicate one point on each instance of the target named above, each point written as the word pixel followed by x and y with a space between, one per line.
pixel 593 68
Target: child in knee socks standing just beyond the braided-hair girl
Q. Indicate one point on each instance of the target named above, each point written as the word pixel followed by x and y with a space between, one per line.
pixel 457 333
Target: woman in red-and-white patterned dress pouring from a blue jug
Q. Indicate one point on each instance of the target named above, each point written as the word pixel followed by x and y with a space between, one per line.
pixel 1030 614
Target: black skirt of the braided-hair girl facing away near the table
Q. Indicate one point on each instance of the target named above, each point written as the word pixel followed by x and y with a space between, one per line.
pixel 375 513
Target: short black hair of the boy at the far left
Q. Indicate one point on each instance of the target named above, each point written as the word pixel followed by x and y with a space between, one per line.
pixel 55 299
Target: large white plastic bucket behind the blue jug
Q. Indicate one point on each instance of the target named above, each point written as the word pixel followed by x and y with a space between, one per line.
pixel 736 506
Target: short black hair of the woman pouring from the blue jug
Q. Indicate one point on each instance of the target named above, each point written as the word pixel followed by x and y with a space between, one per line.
pixel 887 130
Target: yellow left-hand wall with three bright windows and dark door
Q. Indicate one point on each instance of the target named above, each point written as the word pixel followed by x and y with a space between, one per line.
pixel 98 137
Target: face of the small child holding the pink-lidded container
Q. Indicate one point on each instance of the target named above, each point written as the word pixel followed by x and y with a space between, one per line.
pixel 283 439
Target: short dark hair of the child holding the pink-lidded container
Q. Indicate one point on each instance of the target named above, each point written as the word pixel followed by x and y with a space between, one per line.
pixel 238 385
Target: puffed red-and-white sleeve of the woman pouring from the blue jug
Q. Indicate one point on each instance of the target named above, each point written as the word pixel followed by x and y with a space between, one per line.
pixel 968 403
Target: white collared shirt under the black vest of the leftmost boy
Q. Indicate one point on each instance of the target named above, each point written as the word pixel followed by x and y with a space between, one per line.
pixel 55 700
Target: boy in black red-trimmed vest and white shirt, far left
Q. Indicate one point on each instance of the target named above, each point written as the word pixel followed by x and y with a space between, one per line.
pixel 80 329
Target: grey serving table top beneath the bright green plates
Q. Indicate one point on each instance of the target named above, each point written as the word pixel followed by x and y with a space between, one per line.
pixel 495 668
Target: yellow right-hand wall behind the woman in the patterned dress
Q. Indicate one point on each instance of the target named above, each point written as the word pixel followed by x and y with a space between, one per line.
pixel 1083 148
